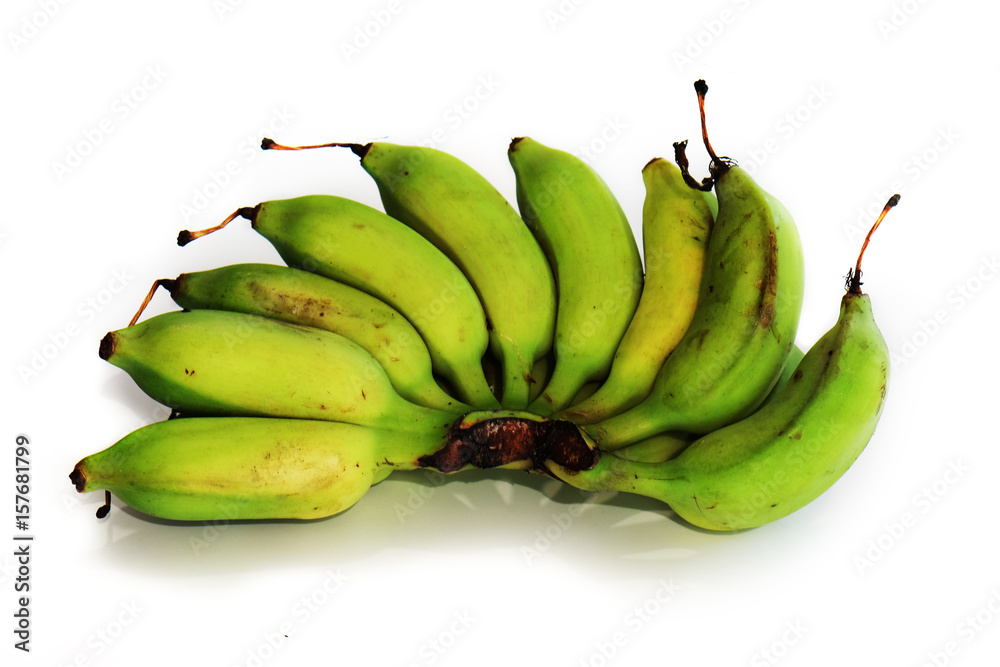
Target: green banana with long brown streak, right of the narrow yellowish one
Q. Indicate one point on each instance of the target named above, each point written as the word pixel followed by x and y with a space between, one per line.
pixel 743 328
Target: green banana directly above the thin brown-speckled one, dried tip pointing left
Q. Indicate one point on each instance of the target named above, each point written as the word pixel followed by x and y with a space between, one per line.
pixel 358 245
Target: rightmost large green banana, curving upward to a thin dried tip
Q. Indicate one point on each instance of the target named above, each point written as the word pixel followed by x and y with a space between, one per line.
pixel 783 456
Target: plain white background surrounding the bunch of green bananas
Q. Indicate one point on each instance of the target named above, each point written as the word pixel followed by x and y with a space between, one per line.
pixel 832 105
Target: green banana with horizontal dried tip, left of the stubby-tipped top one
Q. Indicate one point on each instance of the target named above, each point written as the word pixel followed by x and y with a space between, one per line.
pixel 464 215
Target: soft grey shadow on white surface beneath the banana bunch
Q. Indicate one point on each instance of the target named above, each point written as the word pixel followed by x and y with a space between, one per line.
pixel 532 517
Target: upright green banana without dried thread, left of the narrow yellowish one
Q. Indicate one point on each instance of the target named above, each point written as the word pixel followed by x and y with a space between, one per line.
pixel 594 258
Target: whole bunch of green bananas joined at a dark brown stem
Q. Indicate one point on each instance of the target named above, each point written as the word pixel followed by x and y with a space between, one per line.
pixel 453 332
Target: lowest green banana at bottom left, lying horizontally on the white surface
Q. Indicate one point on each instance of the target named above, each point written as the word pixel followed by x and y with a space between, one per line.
pixel 236 468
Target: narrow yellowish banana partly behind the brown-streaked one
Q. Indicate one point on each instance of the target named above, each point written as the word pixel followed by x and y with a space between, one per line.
pixel 676 224
